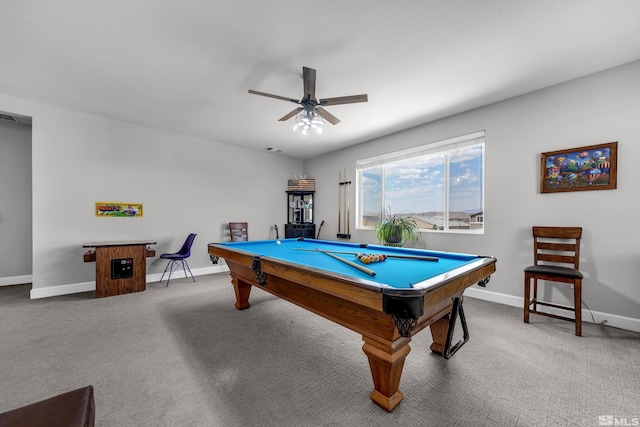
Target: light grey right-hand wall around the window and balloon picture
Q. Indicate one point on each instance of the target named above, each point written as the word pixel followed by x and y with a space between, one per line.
pixel 594 109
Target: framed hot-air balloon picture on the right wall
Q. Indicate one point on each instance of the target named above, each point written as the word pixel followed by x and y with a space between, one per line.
pixel 579 169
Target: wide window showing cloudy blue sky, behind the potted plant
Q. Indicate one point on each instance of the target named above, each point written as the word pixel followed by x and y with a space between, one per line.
pixel 439 185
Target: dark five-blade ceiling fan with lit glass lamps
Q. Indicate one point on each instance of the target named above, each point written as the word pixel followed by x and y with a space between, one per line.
pixel 311 107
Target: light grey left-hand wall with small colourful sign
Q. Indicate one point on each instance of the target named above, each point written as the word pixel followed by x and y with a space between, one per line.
pixel 186 185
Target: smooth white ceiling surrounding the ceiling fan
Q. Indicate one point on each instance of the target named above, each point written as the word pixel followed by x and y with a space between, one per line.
pixel 187 65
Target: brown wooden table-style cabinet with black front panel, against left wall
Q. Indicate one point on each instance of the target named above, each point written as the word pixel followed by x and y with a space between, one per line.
pixel 121 267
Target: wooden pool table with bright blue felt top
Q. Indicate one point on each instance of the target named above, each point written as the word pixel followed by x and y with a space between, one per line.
pixel 408 291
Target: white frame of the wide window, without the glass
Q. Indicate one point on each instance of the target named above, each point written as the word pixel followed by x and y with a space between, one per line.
pixel 446 146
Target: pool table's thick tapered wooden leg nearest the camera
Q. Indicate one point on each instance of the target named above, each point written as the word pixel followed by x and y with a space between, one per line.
pixel 386 360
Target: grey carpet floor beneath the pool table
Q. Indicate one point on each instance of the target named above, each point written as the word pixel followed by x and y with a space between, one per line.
pixel 184 356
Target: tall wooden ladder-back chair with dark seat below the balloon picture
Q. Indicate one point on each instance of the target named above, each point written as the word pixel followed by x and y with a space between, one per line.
pixel 556 259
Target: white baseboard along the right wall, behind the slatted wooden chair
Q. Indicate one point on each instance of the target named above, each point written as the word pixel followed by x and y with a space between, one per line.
pixel 627 323
